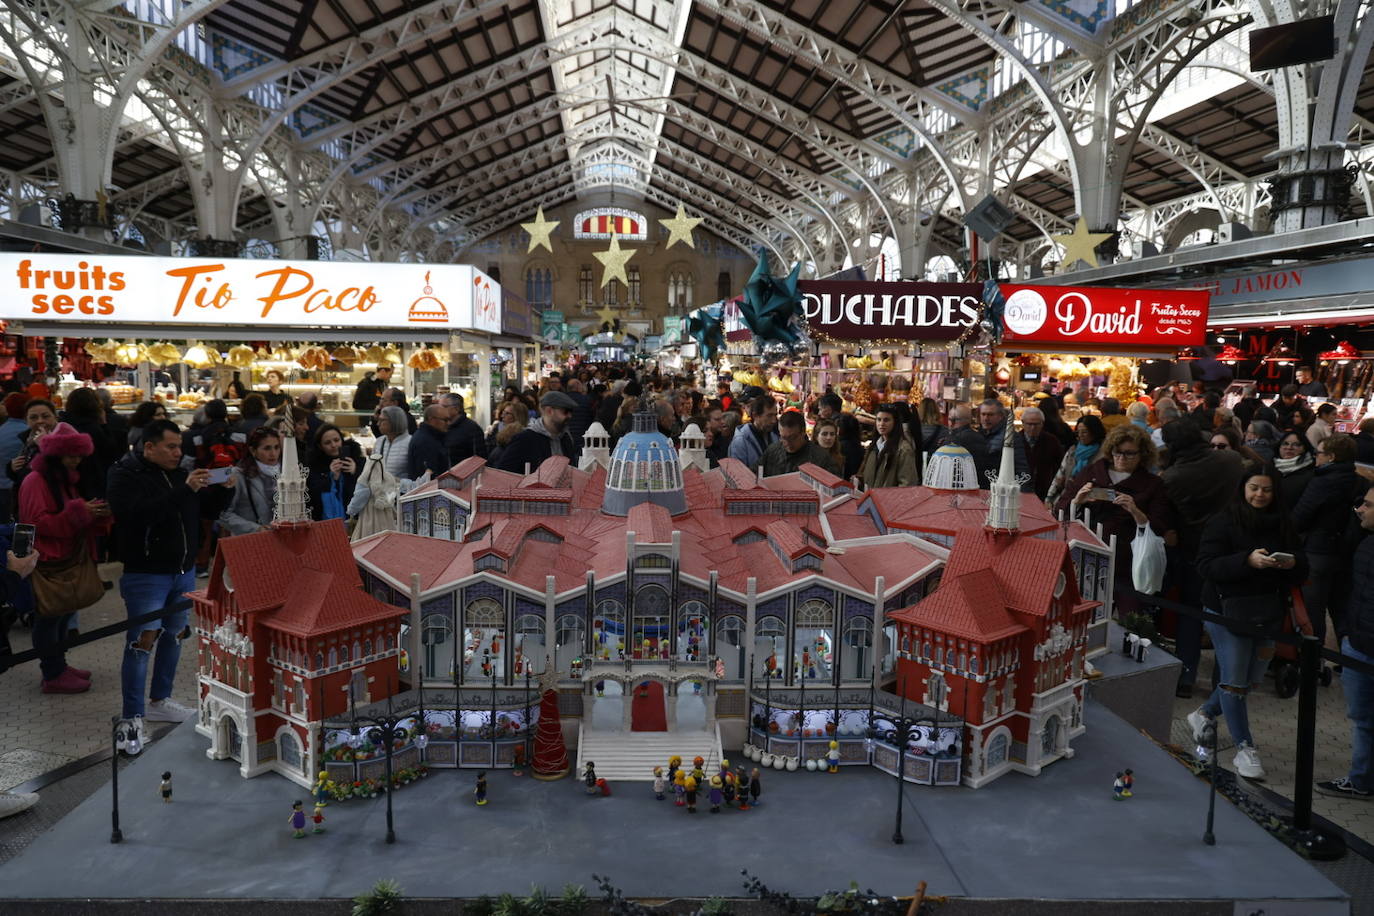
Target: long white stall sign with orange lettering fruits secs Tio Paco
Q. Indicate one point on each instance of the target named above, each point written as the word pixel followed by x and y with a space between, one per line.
pixel 248 292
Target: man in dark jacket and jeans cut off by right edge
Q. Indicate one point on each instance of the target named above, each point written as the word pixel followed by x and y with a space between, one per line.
pixel 1357 686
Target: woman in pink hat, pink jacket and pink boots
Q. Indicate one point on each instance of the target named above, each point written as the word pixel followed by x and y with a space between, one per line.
pixel 50 501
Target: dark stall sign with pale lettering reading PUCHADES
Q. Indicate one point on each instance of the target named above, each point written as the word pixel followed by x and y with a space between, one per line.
pixel 857 311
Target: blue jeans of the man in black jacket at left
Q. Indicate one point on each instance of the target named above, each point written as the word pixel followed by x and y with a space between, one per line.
pixel 145 593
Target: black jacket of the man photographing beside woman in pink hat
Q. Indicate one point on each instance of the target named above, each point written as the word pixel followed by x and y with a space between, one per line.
pixel 157 517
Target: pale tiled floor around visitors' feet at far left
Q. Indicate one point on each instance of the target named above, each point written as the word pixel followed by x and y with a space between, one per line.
pixel 72 727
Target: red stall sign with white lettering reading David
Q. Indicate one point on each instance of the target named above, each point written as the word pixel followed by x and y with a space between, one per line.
pixel 1099 317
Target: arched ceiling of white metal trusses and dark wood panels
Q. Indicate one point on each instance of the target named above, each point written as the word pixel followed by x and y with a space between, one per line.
pixel 412 130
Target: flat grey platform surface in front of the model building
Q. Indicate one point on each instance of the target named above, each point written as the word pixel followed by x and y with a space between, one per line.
pixel 1056 837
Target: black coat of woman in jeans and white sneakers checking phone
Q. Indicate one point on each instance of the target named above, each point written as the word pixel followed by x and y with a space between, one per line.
pixel 1222 561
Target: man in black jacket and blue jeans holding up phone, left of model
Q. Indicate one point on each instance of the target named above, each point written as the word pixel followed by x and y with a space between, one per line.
pixel 156 527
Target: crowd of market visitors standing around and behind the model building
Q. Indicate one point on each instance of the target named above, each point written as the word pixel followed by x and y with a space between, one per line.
pixel 1254 503
